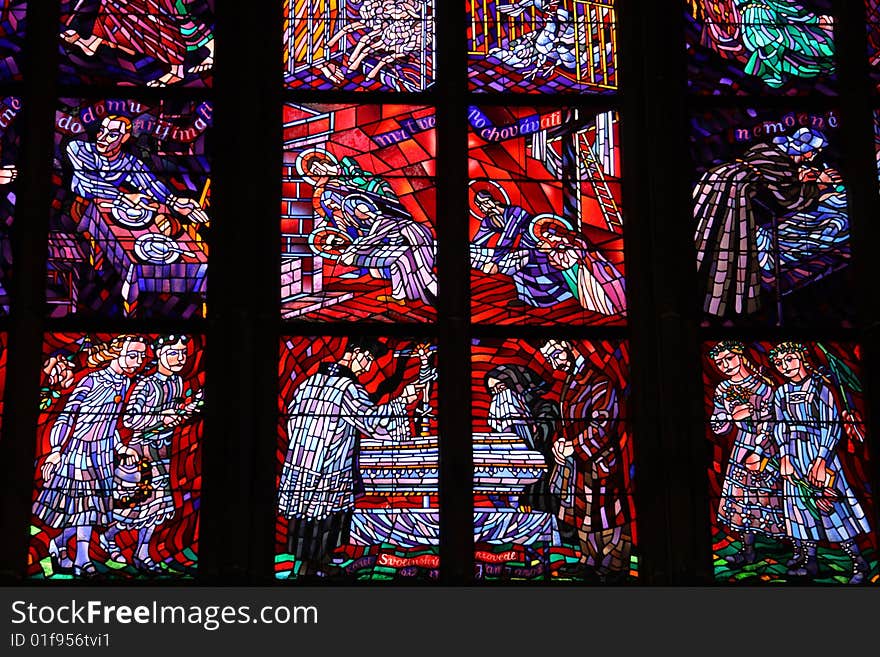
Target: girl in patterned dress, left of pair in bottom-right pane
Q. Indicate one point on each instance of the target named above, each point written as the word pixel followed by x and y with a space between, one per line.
pixel 751 500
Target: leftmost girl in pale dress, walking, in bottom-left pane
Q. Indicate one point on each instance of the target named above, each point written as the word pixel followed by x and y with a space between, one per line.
pixel 77 475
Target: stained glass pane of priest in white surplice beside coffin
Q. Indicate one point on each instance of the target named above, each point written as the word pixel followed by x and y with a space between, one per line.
pixel 357 459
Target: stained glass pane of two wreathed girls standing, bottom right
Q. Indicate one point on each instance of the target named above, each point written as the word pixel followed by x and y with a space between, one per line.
pixel 789 474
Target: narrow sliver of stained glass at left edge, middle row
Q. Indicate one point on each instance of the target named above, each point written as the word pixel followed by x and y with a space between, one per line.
pixel 9 144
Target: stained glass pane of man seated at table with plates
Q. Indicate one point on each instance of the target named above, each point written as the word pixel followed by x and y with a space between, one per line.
pixel 130 223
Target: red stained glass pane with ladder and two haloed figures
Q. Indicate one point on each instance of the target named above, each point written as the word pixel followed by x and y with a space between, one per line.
pixel 546 224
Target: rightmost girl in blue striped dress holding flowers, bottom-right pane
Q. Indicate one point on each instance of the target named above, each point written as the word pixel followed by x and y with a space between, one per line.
pixel 819 503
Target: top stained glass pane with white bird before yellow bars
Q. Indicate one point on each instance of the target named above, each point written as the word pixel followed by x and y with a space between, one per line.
pixel 536 46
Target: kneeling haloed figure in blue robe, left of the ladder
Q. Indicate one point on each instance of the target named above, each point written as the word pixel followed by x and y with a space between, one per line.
pixel 515 254
